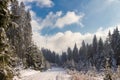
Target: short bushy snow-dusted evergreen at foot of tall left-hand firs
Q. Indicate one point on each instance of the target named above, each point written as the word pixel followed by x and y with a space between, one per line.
pixel 34 58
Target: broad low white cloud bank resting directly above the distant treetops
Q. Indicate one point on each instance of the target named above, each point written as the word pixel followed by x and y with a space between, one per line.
pixel 61 41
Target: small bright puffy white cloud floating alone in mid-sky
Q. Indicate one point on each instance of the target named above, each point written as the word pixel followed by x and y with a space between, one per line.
pixel 68 19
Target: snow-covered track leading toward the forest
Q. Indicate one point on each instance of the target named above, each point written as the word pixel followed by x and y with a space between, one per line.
pixel 51 74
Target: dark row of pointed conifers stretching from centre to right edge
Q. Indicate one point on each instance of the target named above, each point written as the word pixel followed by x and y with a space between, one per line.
pixel 89 55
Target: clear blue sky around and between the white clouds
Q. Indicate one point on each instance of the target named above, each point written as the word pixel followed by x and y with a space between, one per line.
pixel 98 13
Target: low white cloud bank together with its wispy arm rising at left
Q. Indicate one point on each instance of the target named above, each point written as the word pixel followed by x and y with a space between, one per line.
pixel 61 41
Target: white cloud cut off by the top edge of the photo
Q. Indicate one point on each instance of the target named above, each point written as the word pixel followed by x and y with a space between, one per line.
pixel 41 3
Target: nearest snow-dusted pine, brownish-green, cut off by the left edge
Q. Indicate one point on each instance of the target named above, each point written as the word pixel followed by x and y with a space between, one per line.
pixel 6 51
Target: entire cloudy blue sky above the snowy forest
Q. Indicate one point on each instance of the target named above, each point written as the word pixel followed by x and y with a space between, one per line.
pixel 58 24
